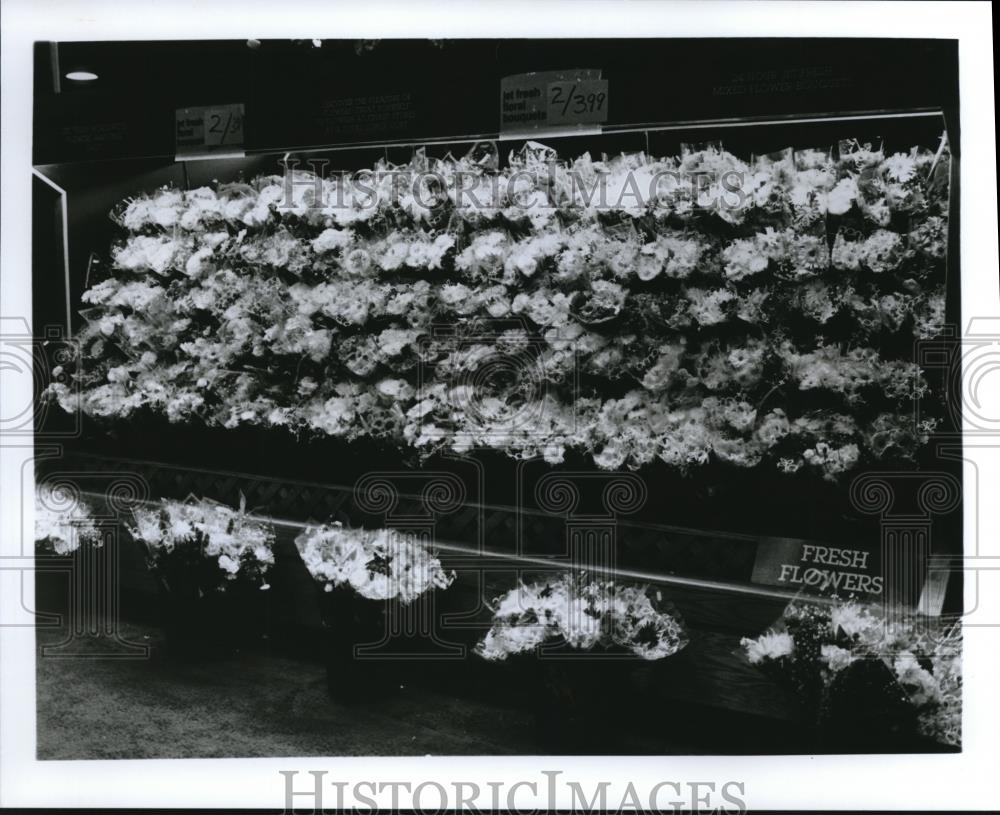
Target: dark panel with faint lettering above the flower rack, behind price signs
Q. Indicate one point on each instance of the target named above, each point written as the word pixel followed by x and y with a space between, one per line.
pixel 298 95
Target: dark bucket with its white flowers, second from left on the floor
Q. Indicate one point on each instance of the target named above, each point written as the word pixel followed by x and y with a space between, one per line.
pixel 212 563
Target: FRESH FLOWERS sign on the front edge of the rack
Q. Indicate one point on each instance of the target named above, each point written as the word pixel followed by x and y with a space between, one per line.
pixel 818 568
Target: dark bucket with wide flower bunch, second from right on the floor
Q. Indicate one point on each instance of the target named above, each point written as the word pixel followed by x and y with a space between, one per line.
pixel 581 642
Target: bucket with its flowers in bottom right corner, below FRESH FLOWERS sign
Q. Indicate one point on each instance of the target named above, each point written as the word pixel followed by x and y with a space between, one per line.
pixel 867 681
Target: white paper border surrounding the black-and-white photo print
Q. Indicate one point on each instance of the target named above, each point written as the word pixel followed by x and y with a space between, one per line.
pixel 957 781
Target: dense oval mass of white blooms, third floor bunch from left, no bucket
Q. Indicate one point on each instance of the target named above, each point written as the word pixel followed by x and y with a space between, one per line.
pixel 380 564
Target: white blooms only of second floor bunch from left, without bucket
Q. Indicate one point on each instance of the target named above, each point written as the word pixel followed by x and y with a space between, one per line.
pixel 205 541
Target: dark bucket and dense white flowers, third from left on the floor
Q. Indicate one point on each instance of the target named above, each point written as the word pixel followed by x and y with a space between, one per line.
pixel 377 604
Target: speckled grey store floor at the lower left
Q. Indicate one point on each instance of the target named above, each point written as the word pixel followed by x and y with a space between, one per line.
pixel 252 705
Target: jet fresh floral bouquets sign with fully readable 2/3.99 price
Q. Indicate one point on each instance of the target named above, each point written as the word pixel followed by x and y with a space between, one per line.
pixel 545 101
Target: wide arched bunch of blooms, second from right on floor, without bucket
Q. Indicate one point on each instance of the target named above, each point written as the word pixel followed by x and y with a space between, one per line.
pixel 586 615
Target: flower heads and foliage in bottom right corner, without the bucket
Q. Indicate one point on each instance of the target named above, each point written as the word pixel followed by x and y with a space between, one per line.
pixel 815 648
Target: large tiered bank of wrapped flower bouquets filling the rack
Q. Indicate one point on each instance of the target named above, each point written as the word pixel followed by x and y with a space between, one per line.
pixel 624 302
